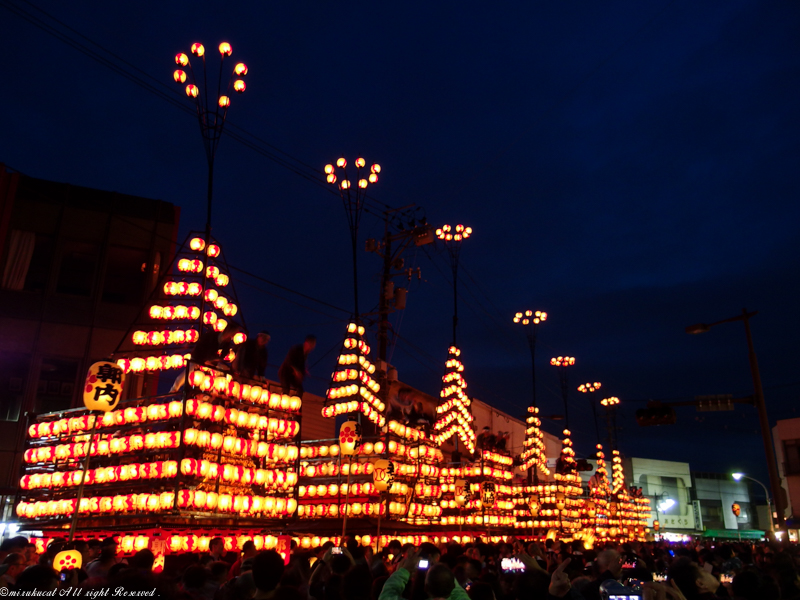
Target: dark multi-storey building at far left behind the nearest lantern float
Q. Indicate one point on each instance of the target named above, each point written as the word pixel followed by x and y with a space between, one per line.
pixel 77 264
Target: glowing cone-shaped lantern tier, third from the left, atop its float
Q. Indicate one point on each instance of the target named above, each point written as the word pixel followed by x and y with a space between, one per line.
pixel 453 414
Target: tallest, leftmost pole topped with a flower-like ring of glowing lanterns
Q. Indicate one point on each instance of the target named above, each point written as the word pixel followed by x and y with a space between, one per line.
pixel 211 115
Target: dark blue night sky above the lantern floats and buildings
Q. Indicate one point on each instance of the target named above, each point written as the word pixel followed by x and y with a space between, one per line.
pixel 629 167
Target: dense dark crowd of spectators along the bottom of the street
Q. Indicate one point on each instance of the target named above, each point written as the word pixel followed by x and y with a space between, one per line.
pixel 512 570
